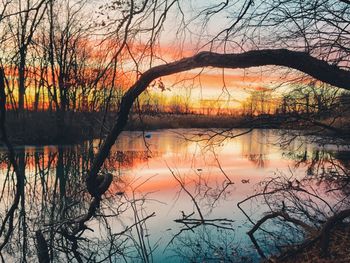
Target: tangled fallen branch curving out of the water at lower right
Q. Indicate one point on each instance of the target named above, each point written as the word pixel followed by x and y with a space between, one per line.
pixel 315 229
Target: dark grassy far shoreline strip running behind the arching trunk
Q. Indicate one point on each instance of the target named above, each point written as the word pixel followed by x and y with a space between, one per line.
pixel 40 128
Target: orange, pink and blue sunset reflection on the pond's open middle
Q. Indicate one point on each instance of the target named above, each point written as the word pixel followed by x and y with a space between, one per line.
pixel 246 158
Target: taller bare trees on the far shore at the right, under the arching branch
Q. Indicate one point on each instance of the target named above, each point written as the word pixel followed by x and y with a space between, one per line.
pixel 307 100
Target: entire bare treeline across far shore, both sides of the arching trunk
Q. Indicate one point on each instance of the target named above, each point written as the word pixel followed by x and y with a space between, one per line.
pixel 63 57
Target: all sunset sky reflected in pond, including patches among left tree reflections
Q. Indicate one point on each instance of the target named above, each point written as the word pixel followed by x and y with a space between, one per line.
pixel 145 166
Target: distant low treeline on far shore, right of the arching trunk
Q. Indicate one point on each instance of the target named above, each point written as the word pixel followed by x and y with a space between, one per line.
pixel 308 100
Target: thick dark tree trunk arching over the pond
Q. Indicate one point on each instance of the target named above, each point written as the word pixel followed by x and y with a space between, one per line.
pixel 303 62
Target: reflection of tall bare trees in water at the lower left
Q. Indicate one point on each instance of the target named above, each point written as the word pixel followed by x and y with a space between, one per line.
pixel 57 221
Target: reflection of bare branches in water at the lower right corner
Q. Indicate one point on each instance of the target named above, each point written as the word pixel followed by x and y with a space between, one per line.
pixel 302 212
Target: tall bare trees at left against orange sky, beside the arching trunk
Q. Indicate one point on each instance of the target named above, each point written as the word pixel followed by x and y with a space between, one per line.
pixel 54 60
